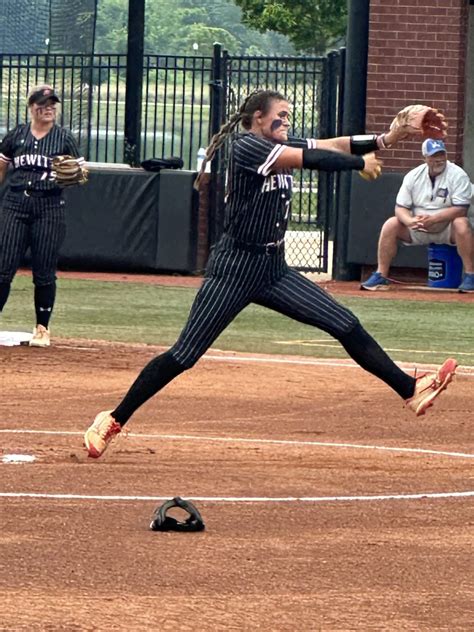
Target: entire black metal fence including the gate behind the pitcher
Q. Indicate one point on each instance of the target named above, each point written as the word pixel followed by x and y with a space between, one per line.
pixel 185 99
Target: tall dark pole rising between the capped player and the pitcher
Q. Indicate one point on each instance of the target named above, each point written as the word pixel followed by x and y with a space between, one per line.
pixel 134 81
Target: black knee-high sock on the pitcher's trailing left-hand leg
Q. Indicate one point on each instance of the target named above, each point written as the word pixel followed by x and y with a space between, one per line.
pixel 156 374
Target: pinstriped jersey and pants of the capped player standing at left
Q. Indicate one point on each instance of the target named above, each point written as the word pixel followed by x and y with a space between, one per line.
pixel 33 208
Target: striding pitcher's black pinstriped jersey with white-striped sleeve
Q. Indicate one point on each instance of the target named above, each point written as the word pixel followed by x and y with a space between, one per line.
pixel 257 198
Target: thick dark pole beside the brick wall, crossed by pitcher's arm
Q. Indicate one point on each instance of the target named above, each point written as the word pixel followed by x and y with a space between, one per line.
pixel 353 122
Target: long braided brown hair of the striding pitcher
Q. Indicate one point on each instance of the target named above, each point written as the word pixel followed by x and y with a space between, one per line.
pixel 258 100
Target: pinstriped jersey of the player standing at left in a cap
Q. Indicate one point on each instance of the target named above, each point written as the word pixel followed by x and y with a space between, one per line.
pixel 30 158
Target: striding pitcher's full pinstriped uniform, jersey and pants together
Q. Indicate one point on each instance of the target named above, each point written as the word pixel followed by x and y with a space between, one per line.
pixel 248 263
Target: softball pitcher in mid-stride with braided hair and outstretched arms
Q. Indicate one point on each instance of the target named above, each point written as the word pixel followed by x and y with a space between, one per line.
pixel 248 263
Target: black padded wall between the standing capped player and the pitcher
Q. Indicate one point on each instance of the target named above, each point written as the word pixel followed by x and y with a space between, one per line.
pixel 131 220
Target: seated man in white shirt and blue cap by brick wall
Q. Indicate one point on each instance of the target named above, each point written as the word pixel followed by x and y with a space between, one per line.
pixel 431 208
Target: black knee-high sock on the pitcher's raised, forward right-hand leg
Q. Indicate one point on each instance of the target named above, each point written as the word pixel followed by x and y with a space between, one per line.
pixel 370 356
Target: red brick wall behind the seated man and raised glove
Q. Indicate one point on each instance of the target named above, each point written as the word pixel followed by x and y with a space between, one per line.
pixel 417 52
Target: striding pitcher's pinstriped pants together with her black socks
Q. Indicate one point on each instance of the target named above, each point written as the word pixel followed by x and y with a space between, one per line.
pixel 234 280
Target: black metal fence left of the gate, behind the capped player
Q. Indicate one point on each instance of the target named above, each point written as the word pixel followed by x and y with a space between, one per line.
pixel 175 108
